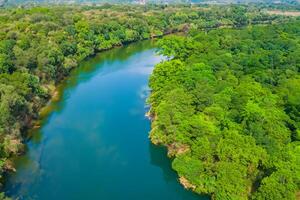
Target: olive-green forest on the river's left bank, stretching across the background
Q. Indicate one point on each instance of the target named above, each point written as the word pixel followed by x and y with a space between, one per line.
pixel 40 45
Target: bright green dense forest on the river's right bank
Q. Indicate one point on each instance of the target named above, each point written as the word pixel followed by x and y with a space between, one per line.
pixel 227 106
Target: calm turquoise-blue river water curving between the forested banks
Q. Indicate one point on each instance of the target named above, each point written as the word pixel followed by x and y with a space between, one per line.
pixel 94 143
